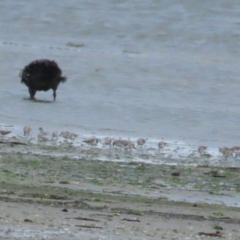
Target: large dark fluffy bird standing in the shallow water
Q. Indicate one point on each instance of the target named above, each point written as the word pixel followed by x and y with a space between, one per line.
pixel 42 75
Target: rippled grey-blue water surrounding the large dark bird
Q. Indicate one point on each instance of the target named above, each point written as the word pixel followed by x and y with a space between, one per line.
pixel 153 69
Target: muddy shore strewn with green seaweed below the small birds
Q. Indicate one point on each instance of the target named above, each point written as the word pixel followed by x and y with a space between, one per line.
pixel 49 196
